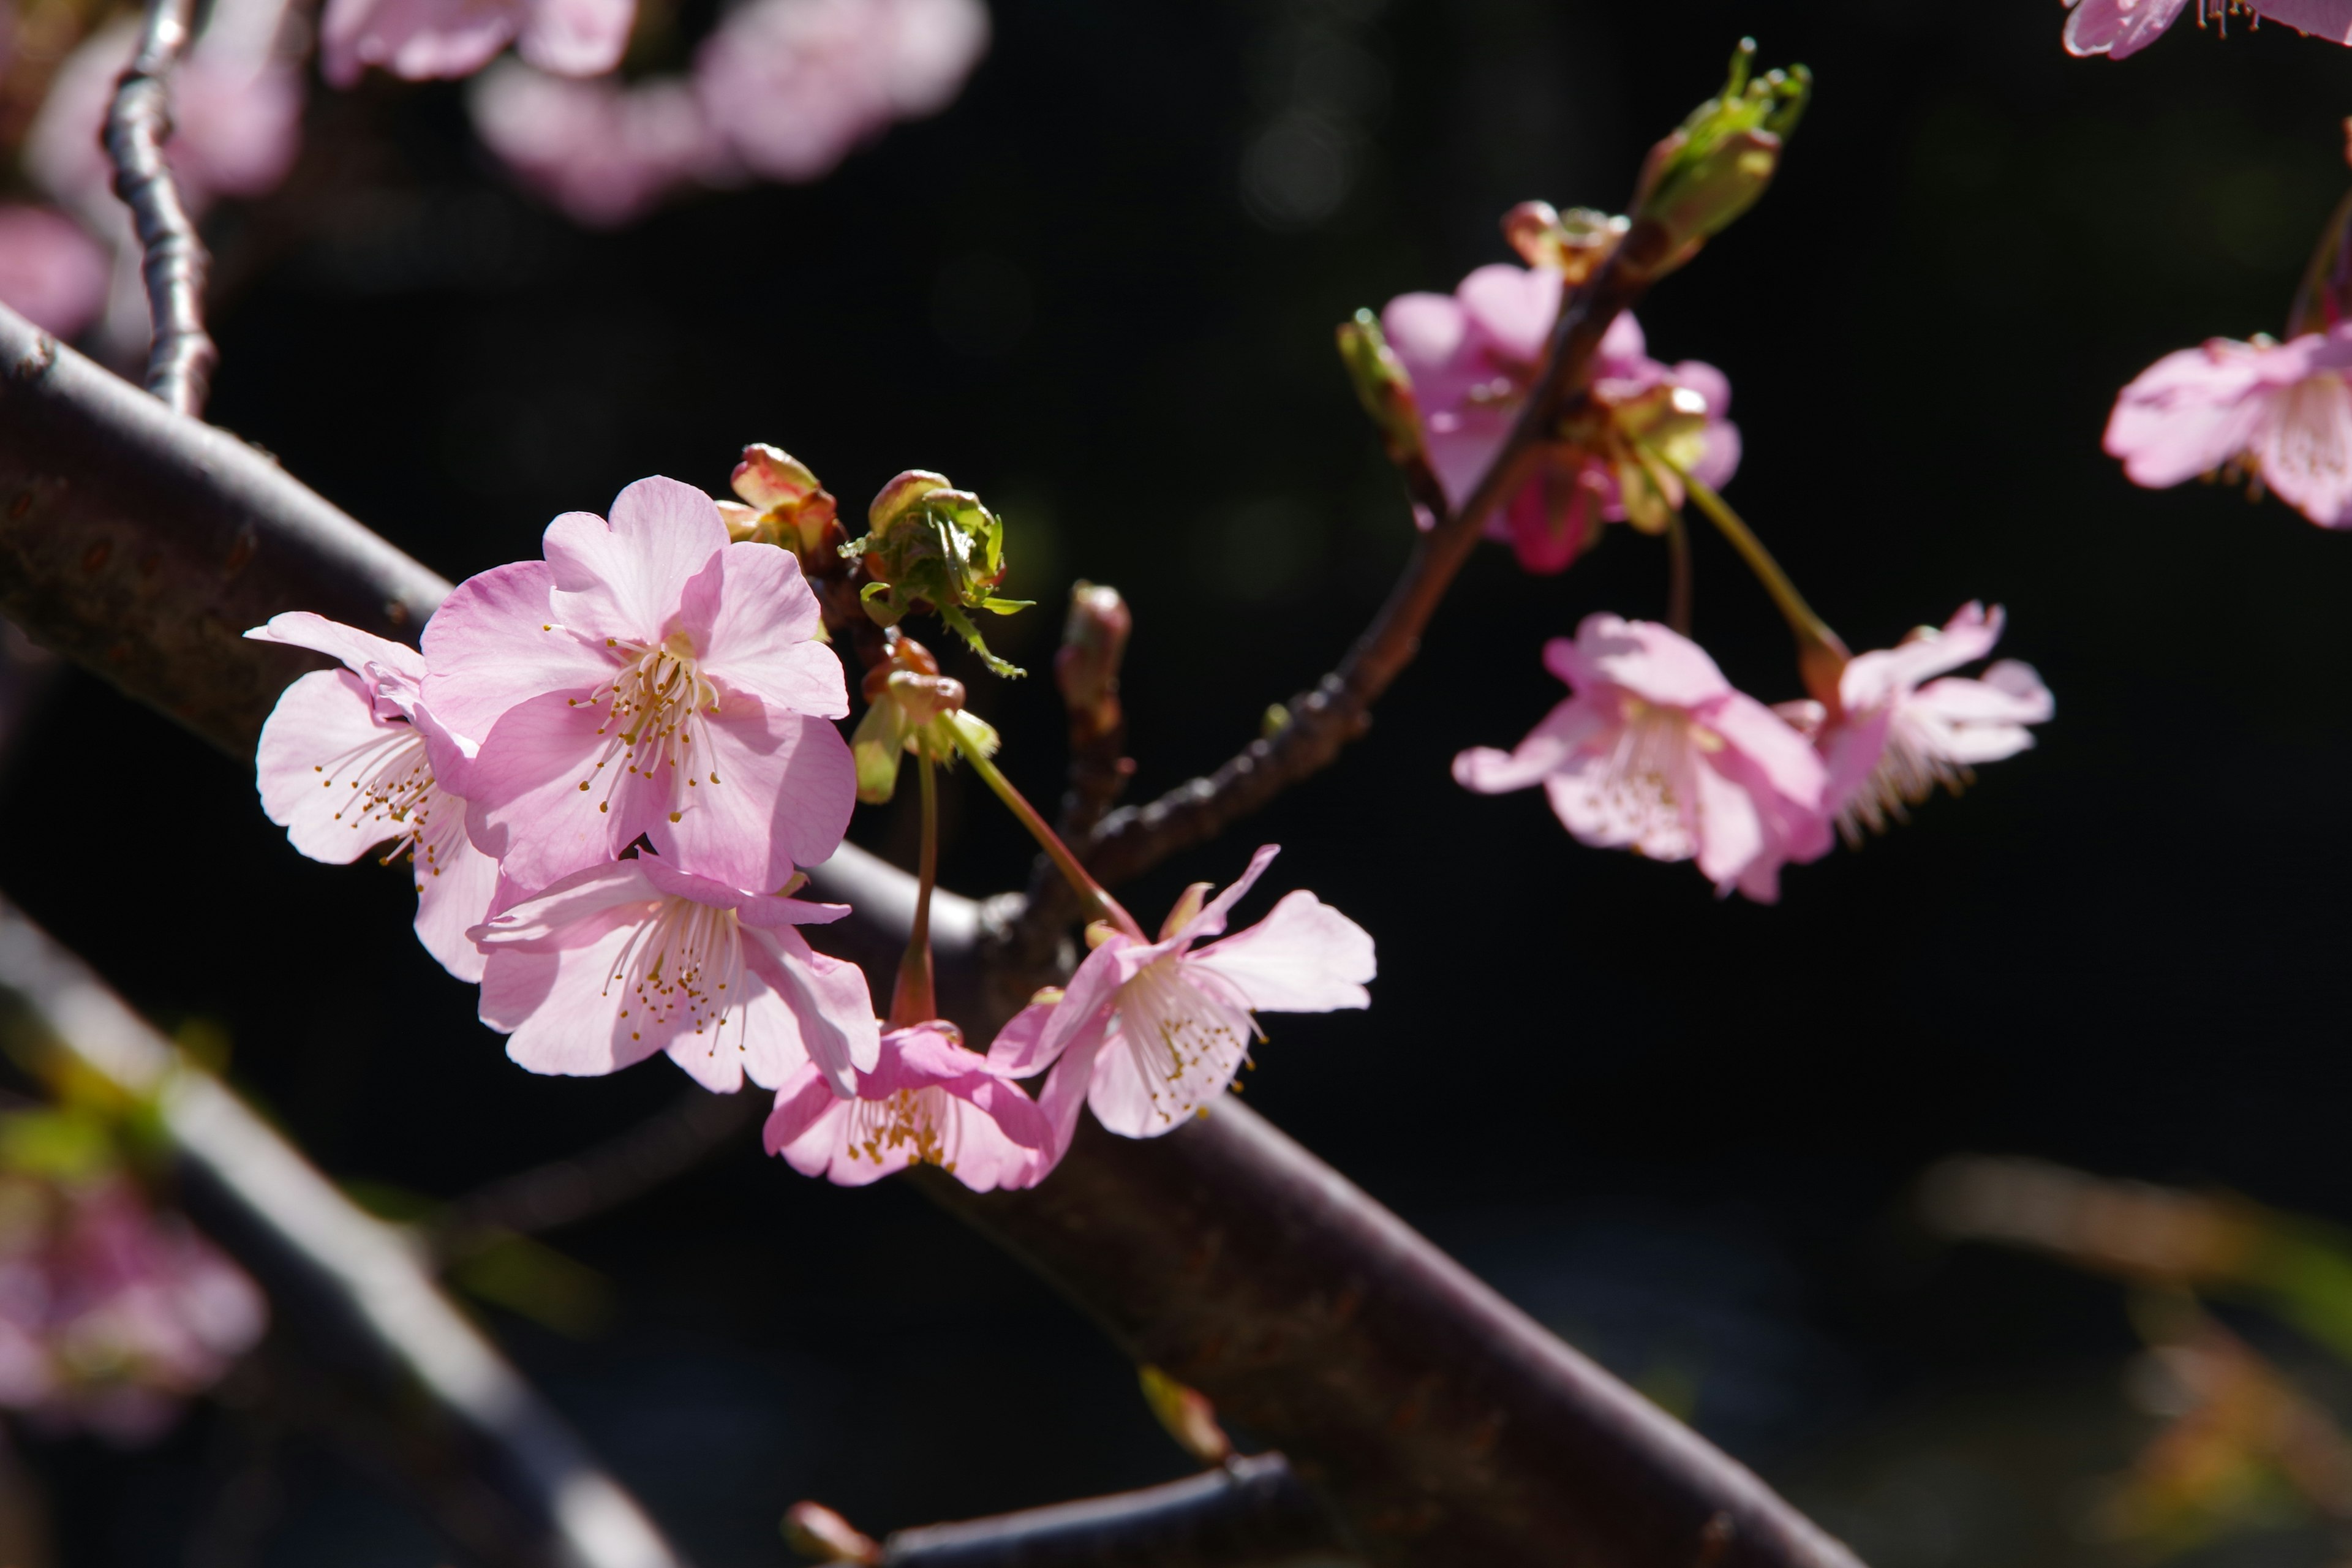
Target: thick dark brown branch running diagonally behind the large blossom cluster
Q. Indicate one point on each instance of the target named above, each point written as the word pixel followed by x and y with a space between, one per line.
pixel 1441 1423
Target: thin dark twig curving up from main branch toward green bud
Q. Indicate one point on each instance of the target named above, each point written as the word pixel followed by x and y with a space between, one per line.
pixel 1339 709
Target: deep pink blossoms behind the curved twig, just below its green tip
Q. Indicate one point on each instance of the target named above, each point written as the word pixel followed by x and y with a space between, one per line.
pixel 1474 354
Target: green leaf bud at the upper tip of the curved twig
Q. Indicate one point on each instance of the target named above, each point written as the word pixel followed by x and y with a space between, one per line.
pixel 1716 166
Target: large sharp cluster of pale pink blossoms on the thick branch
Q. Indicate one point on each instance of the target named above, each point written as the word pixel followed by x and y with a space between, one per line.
pixel 608 772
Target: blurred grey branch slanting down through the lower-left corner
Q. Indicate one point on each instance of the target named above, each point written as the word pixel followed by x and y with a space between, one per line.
pixel 523 1489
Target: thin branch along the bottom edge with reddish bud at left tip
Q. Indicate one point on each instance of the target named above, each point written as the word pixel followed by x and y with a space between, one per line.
pixel 1248 1515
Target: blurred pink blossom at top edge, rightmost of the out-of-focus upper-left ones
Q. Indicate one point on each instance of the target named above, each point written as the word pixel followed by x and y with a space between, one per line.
pixel 794 86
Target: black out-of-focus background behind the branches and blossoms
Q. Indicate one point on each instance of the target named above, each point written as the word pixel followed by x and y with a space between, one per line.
pixel 1102 290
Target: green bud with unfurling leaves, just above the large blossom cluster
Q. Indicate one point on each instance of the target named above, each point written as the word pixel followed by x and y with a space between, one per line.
pixel 935 547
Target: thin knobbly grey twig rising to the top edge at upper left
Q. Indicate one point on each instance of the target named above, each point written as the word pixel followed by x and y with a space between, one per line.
pixel 138 126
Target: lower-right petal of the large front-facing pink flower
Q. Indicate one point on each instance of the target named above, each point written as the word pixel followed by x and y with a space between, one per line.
pixel 773 793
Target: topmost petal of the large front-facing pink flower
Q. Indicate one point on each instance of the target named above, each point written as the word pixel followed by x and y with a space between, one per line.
pixel 629 579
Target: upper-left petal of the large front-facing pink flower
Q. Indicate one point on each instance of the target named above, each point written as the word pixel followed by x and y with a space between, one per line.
pixel 495 645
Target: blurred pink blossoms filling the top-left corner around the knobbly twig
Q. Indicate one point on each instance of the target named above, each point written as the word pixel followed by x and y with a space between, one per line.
pixel 782 91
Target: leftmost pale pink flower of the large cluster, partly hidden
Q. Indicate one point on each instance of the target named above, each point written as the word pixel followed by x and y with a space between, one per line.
pixel 352 760
